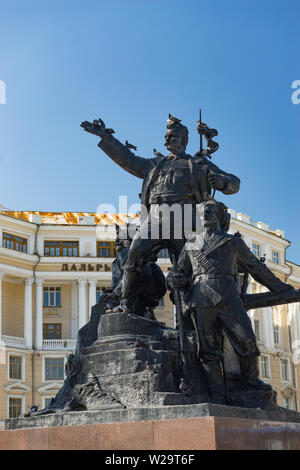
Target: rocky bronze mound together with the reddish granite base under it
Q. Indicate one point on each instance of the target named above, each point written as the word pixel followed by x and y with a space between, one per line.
pixel 134 401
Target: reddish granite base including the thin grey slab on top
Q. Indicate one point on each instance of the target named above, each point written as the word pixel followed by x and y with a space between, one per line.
pixel 189 427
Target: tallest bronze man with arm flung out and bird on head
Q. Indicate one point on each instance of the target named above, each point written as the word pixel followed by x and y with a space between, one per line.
pixel 177 179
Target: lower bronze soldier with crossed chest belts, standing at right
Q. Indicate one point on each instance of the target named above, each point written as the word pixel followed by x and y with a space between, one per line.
pixel 207 274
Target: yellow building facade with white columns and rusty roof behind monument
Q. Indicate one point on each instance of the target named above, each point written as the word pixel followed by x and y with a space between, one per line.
pixel 53 267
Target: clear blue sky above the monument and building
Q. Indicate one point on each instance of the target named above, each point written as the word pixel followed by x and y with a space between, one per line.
pixel 132 62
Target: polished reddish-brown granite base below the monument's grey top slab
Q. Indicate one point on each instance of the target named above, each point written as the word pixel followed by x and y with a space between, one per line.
pixel 201 433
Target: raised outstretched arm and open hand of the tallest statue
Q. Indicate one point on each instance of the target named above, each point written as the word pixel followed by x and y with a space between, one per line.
pixel 119 153
